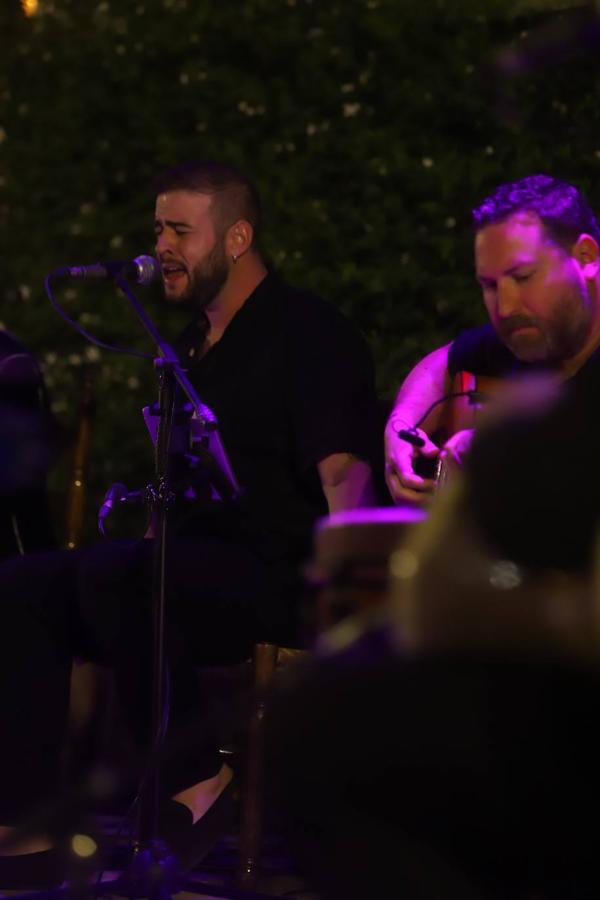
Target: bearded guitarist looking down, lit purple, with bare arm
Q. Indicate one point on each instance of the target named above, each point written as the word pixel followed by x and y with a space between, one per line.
pixel 537 261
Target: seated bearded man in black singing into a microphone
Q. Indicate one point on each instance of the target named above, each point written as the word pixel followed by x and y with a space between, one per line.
pixel 292 387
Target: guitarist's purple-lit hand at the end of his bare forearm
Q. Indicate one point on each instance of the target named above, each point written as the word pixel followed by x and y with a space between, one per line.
pixel 401 458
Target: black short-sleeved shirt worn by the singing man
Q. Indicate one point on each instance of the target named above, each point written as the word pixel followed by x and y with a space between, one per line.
pixel 290 382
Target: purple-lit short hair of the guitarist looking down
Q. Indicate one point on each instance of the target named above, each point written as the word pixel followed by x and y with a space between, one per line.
pixel 561 207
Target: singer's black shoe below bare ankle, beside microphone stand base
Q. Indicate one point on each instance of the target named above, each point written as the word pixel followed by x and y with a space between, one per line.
pixel 190 842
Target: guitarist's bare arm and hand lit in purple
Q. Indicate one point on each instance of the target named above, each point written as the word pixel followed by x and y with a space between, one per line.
pixel 428 382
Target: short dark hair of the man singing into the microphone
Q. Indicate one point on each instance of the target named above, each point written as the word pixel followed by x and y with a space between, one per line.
pixel 234 195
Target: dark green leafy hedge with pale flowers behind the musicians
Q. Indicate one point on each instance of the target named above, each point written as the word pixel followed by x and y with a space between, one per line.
pixel 371 127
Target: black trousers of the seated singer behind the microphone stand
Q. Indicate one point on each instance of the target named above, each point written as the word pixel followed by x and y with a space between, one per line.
pixel 95 604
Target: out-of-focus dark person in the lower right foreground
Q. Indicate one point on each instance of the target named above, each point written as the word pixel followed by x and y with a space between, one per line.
pixel 464 762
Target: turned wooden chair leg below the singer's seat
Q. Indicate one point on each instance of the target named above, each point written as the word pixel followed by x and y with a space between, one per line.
pixel 264 664
